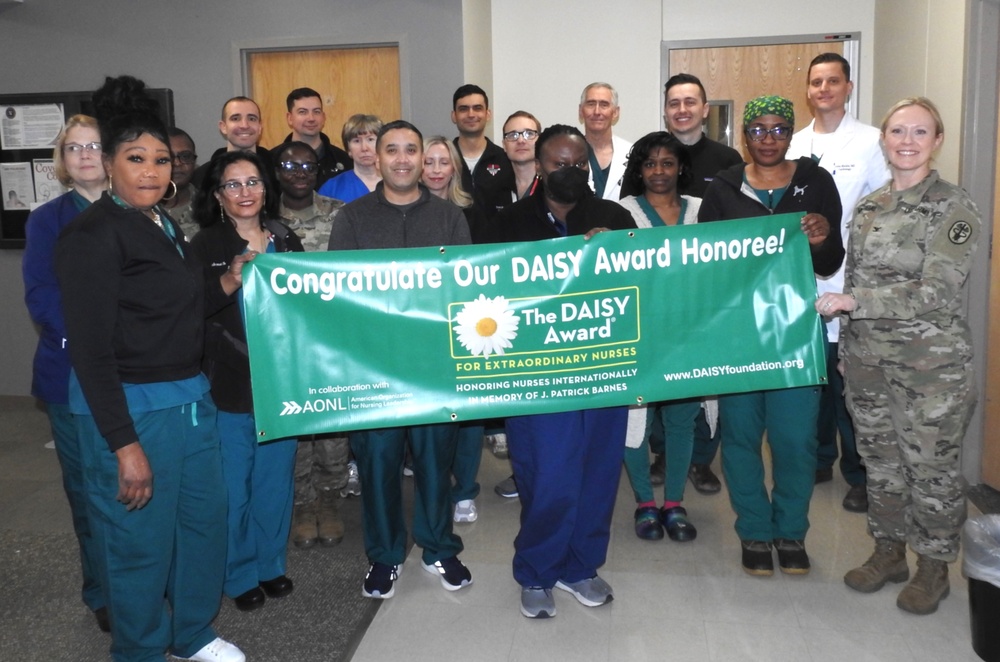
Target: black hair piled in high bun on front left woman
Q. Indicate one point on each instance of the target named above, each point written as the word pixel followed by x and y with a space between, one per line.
pixel 124 112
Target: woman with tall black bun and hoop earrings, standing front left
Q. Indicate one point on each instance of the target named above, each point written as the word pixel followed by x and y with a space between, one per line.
pixel 134 298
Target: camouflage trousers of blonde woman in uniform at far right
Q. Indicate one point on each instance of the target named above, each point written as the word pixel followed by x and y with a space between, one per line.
pixel 910 425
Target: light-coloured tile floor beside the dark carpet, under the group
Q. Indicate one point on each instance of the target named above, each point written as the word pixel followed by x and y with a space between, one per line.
pixel 673 601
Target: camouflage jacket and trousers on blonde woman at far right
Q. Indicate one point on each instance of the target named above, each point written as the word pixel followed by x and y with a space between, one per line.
pixel 907 351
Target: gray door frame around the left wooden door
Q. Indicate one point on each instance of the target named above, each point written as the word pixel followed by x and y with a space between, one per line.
pixel 240 52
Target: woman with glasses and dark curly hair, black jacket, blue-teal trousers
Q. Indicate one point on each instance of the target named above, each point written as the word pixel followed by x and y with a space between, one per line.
pixel 231 208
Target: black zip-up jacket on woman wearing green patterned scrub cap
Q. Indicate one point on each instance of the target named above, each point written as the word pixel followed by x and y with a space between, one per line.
pixel 811 191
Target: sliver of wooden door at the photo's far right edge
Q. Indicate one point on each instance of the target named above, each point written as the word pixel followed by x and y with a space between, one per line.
pixel 991 399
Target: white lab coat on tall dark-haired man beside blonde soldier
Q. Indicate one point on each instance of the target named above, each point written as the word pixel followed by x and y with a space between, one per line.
pixel 855 159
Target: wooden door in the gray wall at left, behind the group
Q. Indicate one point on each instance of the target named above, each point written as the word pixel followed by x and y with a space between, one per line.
pixel 350 80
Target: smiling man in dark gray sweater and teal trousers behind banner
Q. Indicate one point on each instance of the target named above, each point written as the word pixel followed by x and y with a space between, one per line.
pixel 401 213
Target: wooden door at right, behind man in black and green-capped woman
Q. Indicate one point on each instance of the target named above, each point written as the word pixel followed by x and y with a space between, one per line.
pixel 741 73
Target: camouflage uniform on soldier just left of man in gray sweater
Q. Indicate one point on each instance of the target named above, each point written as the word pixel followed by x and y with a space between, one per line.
pixel 320 464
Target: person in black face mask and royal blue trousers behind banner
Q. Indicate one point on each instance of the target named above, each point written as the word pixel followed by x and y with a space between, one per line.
pixel 568 463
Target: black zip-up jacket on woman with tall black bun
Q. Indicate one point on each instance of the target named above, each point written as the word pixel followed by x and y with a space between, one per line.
pixel 134 303
